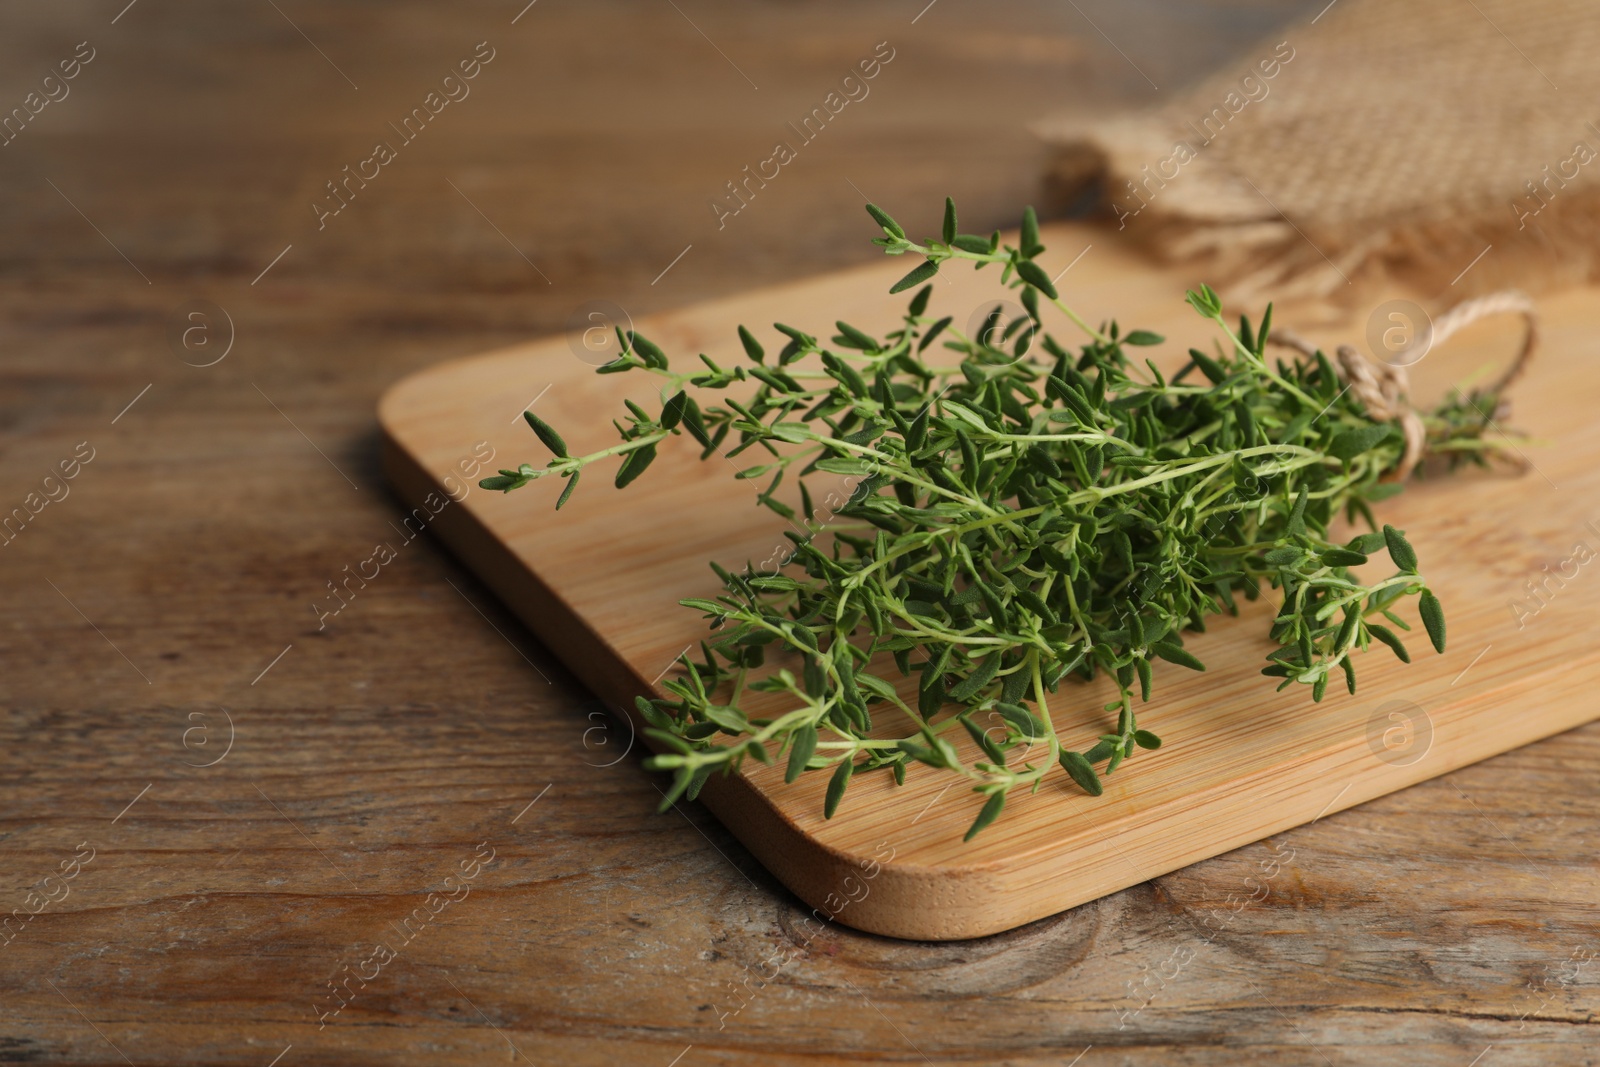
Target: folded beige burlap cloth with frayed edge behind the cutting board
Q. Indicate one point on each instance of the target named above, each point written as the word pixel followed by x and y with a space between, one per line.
pixel 1394 142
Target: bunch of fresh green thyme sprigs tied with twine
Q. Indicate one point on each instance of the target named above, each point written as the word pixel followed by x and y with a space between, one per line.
pixel 1020 516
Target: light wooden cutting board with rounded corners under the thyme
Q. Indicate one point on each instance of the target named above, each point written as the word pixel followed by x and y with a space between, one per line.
pixel 601 583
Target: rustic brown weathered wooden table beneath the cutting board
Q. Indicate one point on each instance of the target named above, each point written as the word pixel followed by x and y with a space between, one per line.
pixel 250 801
